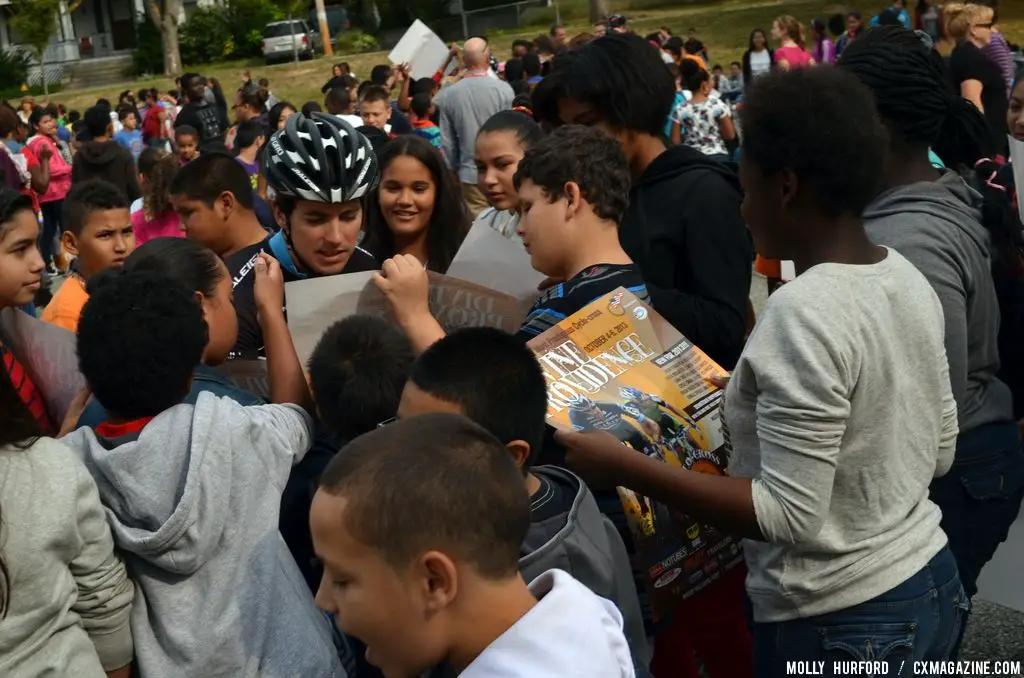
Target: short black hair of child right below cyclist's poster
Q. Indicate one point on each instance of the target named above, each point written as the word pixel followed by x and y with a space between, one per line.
pixel 357 372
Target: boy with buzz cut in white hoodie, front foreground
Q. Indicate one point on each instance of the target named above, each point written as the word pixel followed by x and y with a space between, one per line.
pixel 420 526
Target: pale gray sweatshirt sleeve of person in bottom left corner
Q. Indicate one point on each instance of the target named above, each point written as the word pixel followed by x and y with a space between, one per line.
pixel 105 592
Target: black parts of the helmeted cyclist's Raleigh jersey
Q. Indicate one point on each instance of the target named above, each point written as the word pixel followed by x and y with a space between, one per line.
pixel 241 266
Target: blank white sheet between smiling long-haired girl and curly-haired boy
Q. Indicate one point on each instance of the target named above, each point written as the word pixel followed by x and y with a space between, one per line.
pixel 489 260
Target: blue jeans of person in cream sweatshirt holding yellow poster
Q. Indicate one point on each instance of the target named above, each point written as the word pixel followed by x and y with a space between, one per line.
pixel 918 621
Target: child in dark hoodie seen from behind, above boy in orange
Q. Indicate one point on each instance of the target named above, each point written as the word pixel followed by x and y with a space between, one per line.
pixel 103 158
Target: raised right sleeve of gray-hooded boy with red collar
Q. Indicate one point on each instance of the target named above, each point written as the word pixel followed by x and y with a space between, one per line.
pixel 282 435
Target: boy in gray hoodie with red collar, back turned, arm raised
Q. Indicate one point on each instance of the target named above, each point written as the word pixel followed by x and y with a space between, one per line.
pixel 193 492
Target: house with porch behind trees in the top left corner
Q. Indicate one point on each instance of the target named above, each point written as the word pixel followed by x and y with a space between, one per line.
pixel 95 29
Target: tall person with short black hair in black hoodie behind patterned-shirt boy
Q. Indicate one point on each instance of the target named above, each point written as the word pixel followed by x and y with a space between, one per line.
pixel 684 227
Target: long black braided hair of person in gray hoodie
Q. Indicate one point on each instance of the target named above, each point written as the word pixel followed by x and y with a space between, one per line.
pixel 915 96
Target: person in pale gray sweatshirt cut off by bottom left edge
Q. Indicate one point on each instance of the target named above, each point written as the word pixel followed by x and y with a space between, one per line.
pixel 65 597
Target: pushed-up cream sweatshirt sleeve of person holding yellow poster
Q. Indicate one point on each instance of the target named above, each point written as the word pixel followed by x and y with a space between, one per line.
pixel 801 420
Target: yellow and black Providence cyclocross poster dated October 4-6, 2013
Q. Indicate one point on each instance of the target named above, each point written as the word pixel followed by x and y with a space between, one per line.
pixel 617 366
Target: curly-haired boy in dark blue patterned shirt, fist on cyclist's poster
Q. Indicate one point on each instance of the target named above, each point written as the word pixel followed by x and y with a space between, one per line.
pixel 574 190
